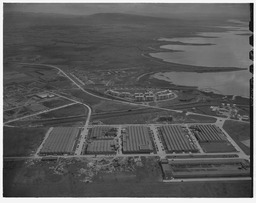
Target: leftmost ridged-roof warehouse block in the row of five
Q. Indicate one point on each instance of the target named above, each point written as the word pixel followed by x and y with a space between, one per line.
pixel 60 141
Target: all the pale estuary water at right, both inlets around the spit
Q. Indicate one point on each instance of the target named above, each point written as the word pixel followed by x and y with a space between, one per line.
pixel 213 49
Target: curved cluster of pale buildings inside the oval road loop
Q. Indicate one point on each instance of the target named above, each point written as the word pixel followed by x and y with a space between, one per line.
pixel 140 97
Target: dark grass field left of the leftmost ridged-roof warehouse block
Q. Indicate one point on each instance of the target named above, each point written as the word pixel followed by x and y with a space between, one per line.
pixel 22 141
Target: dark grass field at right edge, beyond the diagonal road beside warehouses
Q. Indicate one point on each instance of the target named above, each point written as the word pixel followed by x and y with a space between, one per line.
pixel 239 132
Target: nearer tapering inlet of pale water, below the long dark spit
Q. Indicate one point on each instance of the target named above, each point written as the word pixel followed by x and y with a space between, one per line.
pixel 226 83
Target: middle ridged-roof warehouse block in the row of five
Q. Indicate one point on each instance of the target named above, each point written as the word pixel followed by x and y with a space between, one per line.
pixel 136 139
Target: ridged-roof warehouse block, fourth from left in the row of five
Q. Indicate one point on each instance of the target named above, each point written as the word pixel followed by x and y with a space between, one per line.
pixel 176 140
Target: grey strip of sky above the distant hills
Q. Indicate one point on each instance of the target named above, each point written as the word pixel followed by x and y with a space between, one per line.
pixel 149 9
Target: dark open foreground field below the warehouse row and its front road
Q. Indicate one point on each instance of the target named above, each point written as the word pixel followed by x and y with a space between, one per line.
pixel 39 181
